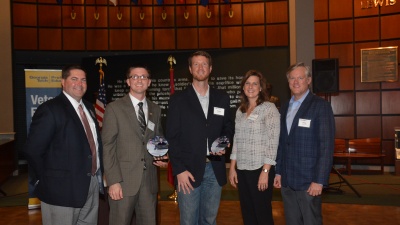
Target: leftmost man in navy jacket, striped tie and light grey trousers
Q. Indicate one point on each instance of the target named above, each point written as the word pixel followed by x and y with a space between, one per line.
pixel 64 150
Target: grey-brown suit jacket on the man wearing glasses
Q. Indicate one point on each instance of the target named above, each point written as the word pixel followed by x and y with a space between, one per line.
pixel 125 148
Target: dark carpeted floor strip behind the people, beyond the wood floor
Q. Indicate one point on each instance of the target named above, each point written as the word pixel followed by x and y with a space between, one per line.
pixel 374 190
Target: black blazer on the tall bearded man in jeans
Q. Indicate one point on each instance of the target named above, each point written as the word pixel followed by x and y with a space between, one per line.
pixel 188 131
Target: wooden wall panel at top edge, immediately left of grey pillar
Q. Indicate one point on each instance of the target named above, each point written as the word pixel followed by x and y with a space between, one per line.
pixel 277 12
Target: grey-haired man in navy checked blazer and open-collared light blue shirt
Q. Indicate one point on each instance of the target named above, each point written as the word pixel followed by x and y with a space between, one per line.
pixel 305 151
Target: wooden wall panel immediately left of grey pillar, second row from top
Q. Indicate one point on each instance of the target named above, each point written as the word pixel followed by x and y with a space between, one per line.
pixel 277 35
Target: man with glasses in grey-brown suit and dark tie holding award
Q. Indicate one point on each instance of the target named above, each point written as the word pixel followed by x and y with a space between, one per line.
pixel 130 173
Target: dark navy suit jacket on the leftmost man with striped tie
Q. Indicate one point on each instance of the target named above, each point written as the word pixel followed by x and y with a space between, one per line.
pixel 58 151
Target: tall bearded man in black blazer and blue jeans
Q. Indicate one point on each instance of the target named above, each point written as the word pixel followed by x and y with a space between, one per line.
pixel 197 116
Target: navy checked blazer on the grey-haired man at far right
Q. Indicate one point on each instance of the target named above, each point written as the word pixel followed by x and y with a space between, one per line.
pixel 306 154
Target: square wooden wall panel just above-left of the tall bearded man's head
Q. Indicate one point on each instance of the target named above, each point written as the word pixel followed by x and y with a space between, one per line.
pixel 187 38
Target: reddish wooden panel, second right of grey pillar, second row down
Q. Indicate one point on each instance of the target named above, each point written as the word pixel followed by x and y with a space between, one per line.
pixel 341 31
